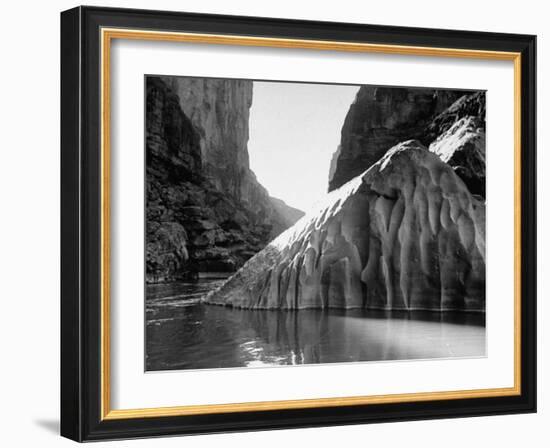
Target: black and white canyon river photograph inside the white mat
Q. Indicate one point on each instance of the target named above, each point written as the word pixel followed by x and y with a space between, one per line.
pixel 302 223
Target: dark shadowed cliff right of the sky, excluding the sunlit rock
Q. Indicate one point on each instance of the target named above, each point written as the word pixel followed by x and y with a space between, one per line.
pixel 380 118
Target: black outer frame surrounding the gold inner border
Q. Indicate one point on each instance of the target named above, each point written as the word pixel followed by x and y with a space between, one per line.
pixel 81 223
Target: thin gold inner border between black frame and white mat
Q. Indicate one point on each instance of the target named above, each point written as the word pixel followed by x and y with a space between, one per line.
pixel 107 35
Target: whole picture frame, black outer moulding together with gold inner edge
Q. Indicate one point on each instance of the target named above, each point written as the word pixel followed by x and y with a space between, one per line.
pixel 86 37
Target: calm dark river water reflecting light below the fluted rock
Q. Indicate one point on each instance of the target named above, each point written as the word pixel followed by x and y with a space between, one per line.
pixel 183 333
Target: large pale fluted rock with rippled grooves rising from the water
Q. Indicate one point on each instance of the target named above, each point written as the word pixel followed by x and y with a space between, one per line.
pixel 405 234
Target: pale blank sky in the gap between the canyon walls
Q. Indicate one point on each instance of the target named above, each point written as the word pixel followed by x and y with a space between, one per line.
pixel 294 130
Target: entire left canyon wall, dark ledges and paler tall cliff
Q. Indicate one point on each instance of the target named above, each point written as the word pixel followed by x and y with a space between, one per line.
pixel 205 209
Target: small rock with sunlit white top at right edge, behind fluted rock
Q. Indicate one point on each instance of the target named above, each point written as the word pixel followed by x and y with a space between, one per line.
pixel 462 146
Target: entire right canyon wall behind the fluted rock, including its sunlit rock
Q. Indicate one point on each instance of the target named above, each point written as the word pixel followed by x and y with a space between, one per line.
pixel 450 122
